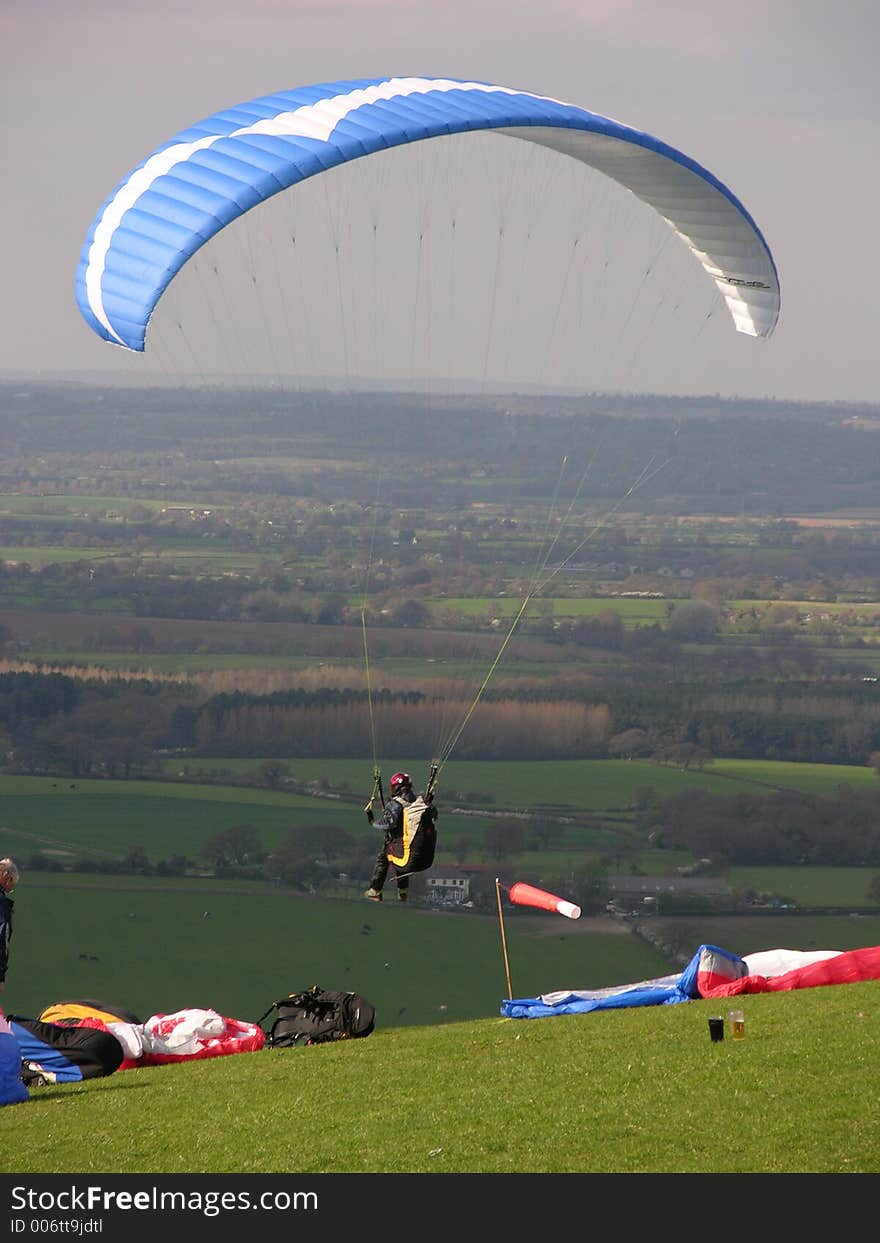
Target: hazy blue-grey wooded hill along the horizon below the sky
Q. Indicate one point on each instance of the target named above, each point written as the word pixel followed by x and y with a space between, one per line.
pixel 704 456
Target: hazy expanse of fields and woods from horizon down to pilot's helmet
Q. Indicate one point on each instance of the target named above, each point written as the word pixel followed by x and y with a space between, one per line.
pixel 274 536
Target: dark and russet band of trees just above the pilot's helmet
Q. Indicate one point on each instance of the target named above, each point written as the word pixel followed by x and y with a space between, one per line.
pixel 54 723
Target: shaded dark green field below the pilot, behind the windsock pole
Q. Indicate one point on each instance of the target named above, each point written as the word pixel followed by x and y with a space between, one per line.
pixel 150 948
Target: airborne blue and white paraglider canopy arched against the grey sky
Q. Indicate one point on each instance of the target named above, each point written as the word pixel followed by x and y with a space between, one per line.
pixel 214 172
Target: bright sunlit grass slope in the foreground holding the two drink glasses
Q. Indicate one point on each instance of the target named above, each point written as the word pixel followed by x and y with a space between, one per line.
pixel 627 1092
